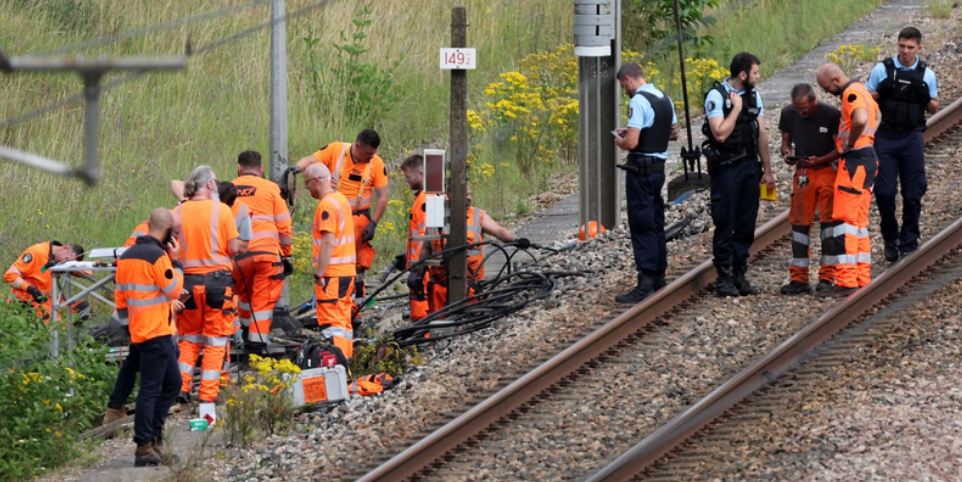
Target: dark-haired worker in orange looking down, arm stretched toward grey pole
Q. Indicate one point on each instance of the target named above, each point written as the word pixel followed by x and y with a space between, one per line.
pixel 357 170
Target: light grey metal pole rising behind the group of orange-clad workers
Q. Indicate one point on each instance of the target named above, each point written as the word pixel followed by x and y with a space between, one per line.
pixel 278 145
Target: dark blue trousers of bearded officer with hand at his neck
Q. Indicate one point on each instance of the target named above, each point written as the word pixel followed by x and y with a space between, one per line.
pixel 734 210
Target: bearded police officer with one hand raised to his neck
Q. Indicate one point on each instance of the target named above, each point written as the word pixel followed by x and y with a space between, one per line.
pixel 734 144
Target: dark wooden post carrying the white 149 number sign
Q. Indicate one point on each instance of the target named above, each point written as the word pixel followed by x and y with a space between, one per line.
pixel 458 261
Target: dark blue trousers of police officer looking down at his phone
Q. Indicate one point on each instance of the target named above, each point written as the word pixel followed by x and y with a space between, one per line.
pixel 646 220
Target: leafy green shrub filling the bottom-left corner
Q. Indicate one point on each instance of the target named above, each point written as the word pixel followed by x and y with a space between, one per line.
pixel 45 402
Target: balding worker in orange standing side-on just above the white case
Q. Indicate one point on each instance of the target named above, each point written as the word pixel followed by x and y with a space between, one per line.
pixel 334 259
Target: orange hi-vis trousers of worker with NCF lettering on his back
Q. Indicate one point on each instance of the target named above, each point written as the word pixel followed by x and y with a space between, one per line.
pixel 258 282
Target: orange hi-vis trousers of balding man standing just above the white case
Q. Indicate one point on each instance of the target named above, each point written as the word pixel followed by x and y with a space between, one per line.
pixel 334 303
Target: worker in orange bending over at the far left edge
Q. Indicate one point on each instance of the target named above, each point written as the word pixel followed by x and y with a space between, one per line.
pixel 32 282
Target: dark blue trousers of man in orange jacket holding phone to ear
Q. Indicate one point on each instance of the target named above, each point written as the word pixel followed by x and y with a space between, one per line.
pixel 159 384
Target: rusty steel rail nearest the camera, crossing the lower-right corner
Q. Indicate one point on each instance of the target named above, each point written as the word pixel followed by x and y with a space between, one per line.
pixel 796 349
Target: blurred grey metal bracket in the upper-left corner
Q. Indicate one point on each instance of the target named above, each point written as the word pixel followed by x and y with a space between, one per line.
pixel 91 70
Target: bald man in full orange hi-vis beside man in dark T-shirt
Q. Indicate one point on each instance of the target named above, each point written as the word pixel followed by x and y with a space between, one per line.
pixel 855 179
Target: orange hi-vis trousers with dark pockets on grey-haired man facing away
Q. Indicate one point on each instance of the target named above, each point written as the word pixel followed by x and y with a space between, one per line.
pixel 207 322
